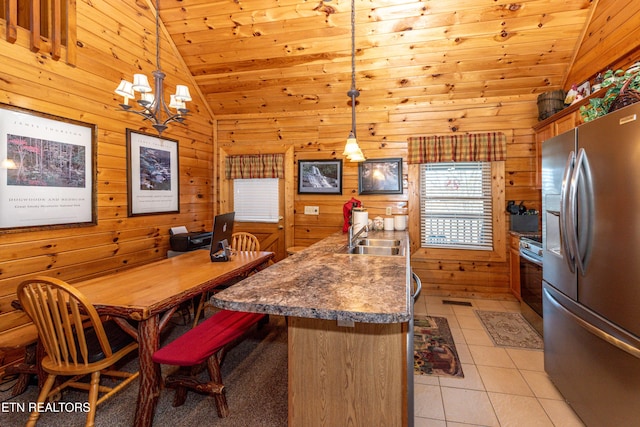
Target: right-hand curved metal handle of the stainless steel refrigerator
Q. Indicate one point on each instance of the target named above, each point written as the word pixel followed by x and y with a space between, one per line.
pixel 583 175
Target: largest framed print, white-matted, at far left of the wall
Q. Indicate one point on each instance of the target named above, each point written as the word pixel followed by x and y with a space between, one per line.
pixel 47 170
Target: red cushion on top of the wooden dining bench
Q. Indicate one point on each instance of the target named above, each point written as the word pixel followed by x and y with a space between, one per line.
pixel 196 345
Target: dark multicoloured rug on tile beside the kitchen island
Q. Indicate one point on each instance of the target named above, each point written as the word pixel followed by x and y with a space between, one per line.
pixel 434 352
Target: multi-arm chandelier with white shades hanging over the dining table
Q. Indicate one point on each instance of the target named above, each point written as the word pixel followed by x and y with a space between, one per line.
pixel 154 107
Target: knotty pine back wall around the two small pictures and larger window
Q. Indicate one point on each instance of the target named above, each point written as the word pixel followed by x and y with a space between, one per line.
pixel 383 134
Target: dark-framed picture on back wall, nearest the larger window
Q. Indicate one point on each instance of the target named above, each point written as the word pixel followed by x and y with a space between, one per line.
pixel 380 176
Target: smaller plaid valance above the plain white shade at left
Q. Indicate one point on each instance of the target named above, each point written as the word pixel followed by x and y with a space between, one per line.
pixel 254 166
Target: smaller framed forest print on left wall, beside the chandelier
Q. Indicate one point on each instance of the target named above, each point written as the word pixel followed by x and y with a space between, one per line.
pixel 153 174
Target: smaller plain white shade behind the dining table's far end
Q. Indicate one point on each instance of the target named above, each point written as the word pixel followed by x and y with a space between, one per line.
pixel 256 200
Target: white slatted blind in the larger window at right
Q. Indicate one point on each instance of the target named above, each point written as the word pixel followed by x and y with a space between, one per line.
pixel 456 205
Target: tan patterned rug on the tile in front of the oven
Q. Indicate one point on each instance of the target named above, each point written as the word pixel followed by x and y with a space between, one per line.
pixel 510 330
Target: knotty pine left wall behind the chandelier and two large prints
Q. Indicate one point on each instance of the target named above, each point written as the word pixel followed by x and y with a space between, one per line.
pixel 115 40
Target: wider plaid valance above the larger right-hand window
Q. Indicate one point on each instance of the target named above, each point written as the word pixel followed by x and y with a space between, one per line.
pixel 471 147
